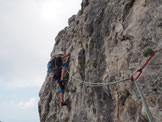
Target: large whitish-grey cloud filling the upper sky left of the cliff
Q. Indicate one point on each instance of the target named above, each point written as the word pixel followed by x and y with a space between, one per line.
pixel 27 33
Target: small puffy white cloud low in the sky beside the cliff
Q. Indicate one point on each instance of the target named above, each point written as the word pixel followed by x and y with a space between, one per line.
pixel 31 103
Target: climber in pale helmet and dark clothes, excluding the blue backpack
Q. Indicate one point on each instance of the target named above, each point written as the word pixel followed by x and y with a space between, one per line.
pixel 59 71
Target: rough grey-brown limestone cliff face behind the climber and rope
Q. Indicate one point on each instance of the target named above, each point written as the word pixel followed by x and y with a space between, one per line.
pixel 106 39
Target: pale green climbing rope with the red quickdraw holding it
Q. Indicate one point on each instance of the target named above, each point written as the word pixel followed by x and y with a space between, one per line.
pixel 148 113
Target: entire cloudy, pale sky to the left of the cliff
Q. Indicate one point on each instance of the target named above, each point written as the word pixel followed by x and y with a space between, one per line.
pixel 27 34
